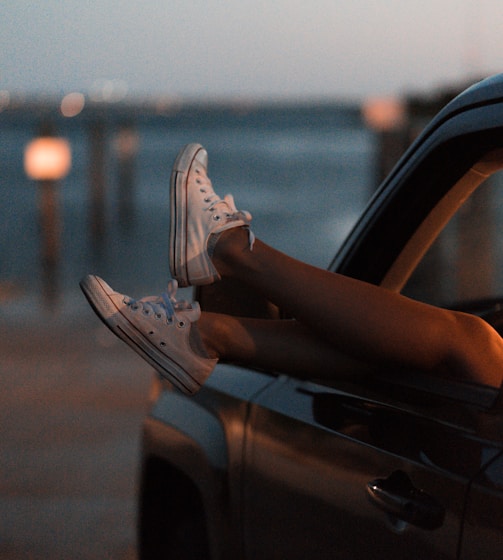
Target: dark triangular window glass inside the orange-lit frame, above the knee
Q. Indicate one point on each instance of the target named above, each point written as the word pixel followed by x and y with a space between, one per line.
pixel 464 267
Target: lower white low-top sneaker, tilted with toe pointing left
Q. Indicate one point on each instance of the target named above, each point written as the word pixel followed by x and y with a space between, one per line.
pixel 157 328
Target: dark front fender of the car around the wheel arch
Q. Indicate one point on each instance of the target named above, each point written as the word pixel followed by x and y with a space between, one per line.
pixel 203 438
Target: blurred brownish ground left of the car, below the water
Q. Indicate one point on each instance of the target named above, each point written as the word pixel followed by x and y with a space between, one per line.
pixel 73 401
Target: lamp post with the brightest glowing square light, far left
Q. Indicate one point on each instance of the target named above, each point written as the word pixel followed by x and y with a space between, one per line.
pixel 47 160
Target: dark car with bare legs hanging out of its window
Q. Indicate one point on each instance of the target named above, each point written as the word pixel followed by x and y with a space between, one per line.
pixel 400 464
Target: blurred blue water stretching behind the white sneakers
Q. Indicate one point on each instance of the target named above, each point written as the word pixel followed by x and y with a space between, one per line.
pixel 305 172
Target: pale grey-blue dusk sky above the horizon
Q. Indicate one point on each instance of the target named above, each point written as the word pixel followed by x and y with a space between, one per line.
pixel 246 49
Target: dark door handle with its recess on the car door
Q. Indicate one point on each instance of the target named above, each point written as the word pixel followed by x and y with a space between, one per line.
pixel 399 498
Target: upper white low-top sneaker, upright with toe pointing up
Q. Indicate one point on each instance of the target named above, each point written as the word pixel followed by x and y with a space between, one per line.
pixel 197 213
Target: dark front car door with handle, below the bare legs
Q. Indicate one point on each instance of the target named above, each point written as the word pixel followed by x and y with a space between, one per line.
pixel 330 474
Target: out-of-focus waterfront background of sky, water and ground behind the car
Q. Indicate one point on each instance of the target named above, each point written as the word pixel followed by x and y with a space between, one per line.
pixel 294 103
